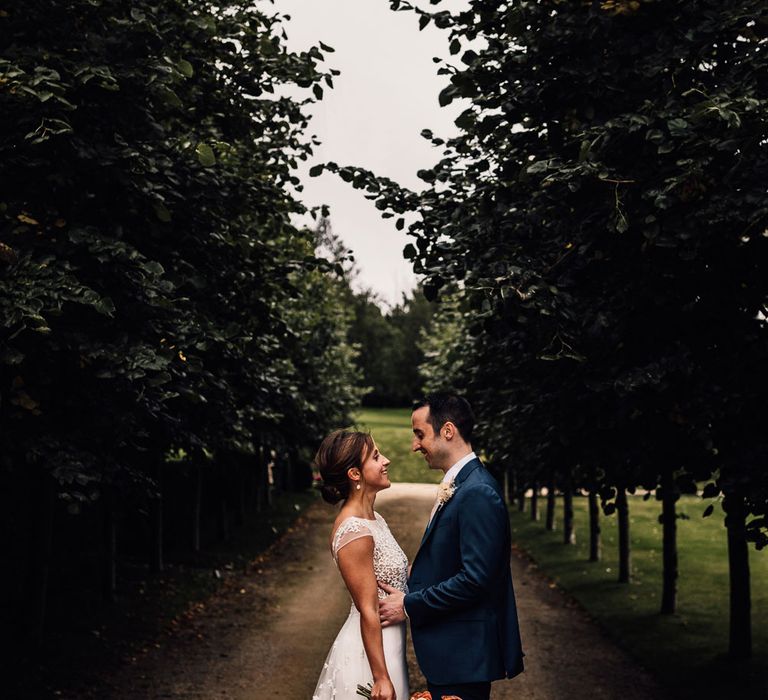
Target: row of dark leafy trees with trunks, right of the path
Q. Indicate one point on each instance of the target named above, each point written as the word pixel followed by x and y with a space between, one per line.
pixel 597 235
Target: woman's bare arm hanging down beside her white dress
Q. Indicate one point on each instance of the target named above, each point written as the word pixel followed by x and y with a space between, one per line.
pixel 356 565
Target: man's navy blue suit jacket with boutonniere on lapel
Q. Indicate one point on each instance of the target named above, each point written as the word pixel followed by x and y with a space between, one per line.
pixel 460 602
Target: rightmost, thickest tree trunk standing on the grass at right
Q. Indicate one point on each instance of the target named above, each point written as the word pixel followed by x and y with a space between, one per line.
pixel 740 637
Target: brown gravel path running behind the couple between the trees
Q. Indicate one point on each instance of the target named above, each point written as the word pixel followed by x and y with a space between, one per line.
pixel 267 633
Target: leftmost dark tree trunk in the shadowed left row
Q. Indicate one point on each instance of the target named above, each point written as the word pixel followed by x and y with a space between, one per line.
pixel 41 561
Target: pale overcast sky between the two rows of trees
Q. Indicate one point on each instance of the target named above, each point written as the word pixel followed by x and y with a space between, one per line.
pixel 386 94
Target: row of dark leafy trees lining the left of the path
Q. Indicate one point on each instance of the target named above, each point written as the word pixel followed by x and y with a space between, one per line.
pixel 155 298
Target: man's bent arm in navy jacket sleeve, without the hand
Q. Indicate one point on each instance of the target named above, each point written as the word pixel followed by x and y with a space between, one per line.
pixel 482 524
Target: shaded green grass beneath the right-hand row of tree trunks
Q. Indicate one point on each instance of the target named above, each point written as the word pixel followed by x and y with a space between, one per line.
pixel 686 651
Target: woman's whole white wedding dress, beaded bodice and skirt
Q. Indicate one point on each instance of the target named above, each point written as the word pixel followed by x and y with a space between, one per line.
pixel 347 666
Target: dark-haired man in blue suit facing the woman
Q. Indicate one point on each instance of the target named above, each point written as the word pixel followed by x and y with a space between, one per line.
pixel 461 605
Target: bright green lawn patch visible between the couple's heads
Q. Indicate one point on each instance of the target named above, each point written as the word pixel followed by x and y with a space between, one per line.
pixel 391 428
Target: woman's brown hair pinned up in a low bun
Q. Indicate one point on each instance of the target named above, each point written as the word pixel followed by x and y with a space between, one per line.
pixel 341 451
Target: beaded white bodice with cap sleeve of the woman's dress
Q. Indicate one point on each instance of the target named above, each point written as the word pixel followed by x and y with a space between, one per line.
pixel 389 561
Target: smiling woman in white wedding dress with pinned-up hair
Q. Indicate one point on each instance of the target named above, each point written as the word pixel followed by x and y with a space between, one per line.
pixel 363 654
